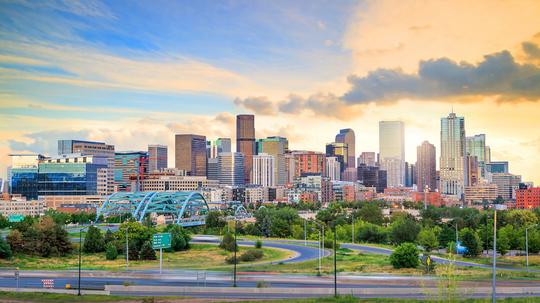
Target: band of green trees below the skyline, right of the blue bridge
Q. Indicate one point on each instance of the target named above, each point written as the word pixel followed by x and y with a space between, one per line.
pixel 435 228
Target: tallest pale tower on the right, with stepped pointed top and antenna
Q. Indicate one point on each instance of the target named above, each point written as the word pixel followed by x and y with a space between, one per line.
pixel 452 161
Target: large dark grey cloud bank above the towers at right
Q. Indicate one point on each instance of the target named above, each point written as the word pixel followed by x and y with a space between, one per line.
pixel 498 74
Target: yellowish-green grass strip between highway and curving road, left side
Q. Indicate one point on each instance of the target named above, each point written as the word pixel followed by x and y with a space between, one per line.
pixel 200 256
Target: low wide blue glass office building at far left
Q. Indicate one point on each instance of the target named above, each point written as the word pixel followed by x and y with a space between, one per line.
pixel 70 175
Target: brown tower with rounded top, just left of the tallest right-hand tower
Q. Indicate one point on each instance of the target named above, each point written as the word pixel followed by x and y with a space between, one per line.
pixel 426 167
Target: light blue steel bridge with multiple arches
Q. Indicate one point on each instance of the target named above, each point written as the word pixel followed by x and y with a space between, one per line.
pixel 186 208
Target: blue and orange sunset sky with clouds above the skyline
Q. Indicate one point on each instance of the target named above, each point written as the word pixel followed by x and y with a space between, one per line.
pixel 133 73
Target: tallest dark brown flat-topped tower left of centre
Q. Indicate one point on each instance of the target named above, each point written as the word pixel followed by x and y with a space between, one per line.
pixel 245 142
